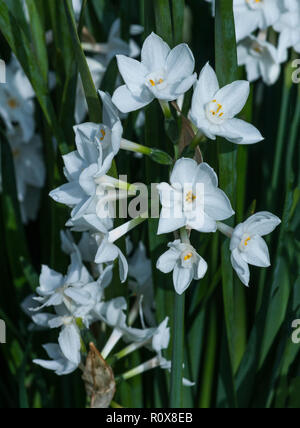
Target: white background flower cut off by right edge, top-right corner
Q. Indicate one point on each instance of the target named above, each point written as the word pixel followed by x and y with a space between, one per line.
pixel 288 27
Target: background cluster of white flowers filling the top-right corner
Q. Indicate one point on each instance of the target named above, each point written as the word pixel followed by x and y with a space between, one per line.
pixel 256 51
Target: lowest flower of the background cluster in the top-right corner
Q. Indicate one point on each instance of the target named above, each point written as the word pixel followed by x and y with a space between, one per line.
pixel 260 59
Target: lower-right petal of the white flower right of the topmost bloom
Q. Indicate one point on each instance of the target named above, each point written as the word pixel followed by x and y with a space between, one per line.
pixel 245 132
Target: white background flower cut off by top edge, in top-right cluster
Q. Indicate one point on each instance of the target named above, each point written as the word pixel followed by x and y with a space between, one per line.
pixel 252 14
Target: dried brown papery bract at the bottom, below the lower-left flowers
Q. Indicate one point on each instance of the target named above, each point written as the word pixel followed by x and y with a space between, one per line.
pixel 99 380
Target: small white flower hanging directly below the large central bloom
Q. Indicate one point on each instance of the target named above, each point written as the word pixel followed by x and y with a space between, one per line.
pixel 186 265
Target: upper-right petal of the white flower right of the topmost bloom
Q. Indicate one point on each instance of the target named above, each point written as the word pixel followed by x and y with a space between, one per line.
pixel 233 97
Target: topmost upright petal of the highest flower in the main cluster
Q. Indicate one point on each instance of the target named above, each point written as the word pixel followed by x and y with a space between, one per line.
pixel 154 53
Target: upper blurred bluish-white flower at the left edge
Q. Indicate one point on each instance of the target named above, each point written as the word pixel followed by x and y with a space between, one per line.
pixel 16 105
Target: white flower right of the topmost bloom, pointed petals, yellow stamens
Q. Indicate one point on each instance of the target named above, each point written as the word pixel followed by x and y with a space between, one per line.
pixel 213 109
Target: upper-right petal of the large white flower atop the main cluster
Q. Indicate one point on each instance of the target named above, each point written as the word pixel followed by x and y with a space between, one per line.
pixel 180 63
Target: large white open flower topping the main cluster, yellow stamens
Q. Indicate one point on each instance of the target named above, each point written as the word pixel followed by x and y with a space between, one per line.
pixel 163 73
